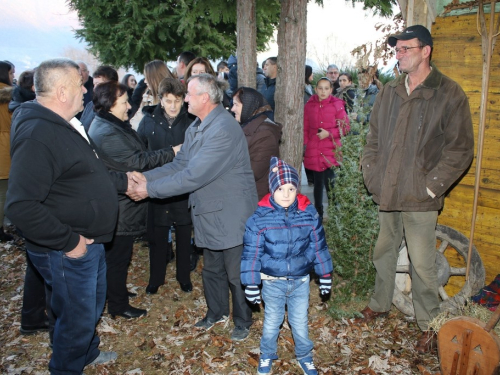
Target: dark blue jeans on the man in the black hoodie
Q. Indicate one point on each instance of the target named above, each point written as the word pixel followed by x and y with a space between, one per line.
pixel 78 297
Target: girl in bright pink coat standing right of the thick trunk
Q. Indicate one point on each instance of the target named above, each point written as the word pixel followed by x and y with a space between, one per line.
pixel 325 121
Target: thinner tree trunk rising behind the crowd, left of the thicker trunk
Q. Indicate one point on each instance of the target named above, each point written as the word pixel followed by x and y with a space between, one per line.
pixel 247 45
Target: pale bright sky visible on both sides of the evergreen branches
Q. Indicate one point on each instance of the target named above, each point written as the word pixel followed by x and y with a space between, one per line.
pixel 33 31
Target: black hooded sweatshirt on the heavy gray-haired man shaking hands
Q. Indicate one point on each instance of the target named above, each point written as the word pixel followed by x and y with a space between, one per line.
pixel 58 188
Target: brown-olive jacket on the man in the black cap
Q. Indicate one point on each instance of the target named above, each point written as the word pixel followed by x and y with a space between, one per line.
pixel 416 142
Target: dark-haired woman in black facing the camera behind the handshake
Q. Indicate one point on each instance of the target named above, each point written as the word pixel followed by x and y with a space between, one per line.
pixel 163 125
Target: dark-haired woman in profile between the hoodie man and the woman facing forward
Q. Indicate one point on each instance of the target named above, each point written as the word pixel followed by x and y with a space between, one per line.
pixel 122 150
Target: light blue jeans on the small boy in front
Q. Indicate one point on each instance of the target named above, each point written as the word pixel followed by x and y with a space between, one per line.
pixel 295 294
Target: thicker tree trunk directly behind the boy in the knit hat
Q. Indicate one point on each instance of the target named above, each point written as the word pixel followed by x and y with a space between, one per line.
pixel 289 97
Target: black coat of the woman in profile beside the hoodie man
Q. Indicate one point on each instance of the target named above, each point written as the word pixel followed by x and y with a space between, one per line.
pixel 123 150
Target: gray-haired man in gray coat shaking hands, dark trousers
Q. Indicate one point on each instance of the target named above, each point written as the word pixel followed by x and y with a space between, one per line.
pixel 213 165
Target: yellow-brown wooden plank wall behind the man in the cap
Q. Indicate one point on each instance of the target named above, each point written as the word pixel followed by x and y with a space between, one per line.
pixel 457 53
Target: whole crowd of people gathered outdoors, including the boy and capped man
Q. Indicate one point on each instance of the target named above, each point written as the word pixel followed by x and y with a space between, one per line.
pixel 92 162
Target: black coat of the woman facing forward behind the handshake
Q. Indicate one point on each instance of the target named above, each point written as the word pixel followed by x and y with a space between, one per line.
pixel 156 133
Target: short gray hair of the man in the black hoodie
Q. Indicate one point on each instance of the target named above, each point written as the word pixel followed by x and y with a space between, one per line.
pixel 50 72
